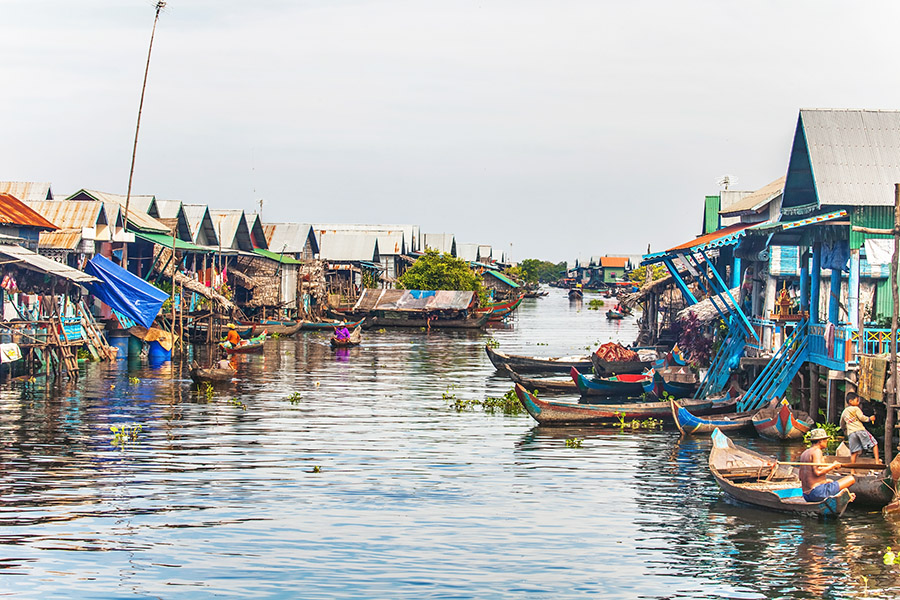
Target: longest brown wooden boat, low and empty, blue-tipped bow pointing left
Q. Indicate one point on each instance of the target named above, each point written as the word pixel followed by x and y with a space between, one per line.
pixel 549 412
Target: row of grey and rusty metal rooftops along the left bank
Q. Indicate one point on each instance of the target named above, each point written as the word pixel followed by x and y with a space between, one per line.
pixel 100 216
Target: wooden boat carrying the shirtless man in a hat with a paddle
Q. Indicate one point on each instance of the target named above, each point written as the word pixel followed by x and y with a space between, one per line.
pixel 756 480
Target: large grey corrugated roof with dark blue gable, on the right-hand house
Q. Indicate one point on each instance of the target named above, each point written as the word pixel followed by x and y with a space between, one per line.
pixel 854 157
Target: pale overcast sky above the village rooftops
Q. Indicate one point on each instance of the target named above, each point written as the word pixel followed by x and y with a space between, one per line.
pixel 549 130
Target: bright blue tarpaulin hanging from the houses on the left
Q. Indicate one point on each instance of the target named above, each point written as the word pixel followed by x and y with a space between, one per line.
pixel 125 292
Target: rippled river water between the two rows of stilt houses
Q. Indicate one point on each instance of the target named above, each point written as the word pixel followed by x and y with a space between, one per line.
pixel 218 496
